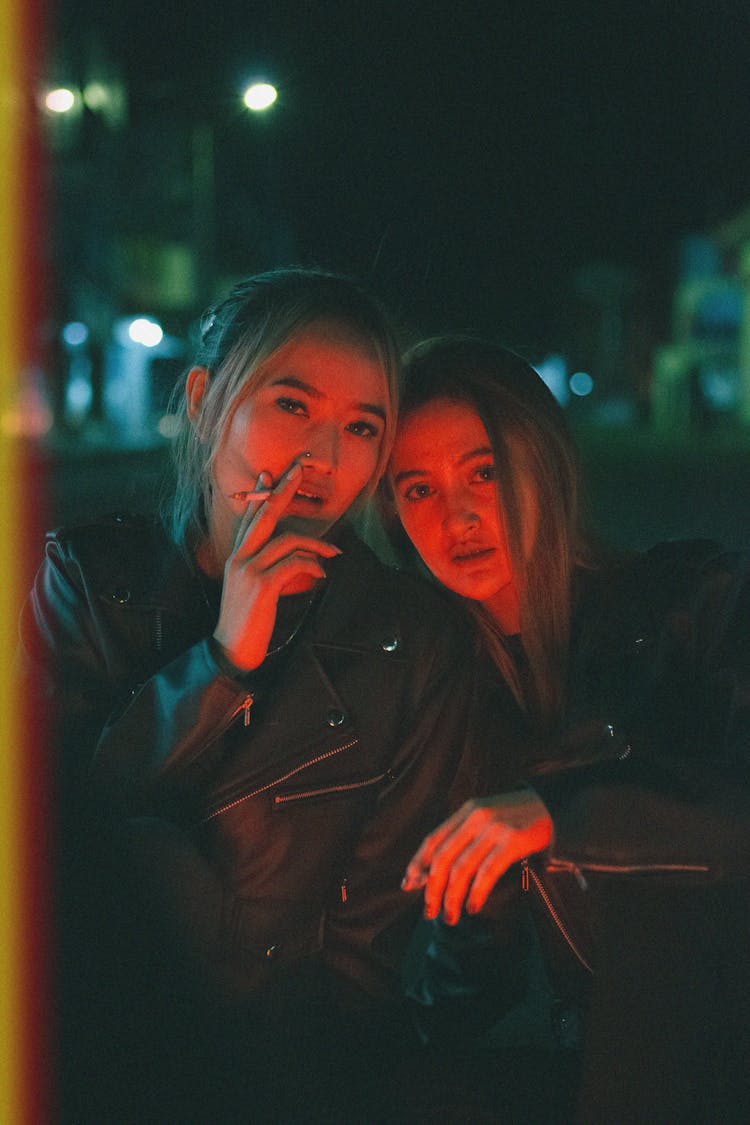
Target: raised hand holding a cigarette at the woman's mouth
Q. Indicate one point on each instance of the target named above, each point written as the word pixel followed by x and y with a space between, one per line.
pixel 260 569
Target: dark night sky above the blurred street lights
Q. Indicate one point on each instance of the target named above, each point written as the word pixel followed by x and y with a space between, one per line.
pixel 466 159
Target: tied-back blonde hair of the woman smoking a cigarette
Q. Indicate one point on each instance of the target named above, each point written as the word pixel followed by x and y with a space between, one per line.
pixel 240 335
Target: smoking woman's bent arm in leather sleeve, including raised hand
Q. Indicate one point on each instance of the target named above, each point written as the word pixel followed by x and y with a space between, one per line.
pixel 153 735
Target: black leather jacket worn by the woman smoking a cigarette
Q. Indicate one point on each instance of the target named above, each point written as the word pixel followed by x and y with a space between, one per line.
pixel 308 786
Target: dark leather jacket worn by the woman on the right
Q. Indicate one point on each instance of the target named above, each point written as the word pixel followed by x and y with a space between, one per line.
pixel 647 779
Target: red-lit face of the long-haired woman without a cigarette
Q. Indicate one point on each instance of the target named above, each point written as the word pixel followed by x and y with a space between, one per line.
pixel 442 474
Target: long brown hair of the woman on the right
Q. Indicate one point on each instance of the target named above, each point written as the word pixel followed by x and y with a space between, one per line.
pixel 534 449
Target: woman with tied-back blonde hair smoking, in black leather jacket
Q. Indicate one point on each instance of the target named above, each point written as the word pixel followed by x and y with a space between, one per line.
pixel 254 724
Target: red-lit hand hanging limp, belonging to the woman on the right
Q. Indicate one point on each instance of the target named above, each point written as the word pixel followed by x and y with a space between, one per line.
pixel 460 862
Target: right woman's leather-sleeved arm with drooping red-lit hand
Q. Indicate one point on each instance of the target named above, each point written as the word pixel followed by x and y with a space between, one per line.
pixel 652 806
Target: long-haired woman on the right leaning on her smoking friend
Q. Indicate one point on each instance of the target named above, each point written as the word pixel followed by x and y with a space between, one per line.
pixel 629 679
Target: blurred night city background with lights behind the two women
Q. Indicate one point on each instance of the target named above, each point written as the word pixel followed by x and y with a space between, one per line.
pixel 573 181
